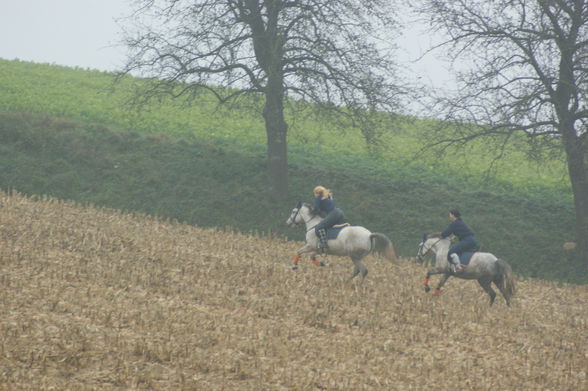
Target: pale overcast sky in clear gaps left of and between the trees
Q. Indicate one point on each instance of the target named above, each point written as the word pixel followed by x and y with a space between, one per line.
pixel 85 33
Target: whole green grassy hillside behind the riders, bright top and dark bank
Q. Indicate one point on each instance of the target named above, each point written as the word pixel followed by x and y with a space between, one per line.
pixel 62 133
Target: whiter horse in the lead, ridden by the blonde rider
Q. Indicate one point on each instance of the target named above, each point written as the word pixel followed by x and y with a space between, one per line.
pixel 353 241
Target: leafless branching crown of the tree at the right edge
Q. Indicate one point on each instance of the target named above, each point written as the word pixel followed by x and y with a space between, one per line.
pixel 528 62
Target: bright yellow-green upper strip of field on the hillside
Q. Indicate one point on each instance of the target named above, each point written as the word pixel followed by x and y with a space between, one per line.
pixel 92 96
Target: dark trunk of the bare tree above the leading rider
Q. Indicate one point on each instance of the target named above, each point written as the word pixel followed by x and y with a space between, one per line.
pixel 277 143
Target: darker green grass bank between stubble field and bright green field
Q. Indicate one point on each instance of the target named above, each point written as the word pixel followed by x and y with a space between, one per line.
pixel 222 185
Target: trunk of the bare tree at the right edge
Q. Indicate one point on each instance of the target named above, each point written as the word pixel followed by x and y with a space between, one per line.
pixel 577 158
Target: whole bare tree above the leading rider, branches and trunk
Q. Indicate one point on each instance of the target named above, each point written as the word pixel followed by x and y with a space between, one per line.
pixel 319 51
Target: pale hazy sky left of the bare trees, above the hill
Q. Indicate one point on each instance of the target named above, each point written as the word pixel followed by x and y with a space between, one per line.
pixel 64 32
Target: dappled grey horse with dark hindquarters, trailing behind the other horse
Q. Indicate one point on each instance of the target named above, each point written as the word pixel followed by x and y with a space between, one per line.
pixel 484 267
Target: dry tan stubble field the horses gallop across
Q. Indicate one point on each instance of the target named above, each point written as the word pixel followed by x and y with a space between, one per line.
pixel 94 299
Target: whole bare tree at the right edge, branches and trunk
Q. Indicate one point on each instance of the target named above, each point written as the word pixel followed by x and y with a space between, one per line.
pixel 528 75
